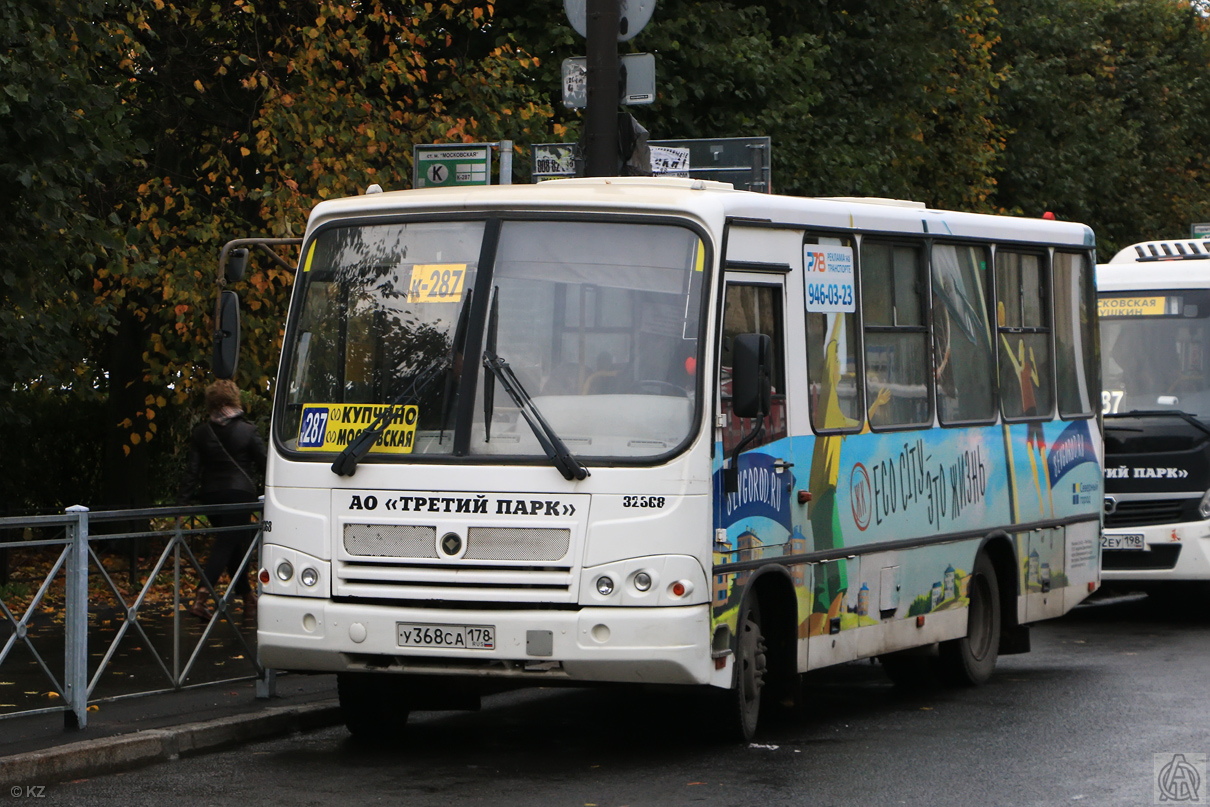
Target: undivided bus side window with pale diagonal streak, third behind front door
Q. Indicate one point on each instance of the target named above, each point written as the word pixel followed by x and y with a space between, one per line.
pixel 965 365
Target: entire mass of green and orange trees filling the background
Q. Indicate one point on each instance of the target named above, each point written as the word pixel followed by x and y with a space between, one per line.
pixel 139 136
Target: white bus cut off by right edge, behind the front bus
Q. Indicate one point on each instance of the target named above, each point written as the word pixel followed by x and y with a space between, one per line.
pixel 1155 315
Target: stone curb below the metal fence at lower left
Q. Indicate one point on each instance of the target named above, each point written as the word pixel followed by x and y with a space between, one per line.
pixel 111 754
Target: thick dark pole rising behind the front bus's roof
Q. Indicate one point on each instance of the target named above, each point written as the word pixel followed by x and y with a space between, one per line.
pixel 601 118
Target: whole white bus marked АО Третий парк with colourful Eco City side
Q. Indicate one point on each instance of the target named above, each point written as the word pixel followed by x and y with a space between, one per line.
pixel 664 433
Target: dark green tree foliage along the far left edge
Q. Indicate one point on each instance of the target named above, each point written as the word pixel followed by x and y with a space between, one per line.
pixel 64 134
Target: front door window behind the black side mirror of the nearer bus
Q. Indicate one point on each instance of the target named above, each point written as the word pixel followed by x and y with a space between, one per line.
pixel 751 309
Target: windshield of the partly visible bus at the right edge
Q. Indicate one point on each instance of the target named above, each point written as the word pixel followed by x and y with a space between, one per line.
pixel 1155 351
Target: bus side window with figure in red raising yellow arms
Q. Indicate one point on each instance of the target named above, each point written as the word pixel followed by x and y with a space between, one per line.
pixel 1024 336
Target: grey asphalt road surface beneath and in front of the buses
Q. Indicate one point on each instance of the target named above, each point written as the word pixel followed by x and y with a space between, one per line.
pixel 1109 698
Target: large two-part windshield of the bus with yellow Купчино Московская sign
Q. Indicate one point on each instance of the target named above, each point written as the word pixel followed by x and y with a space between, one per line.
pixel 597 321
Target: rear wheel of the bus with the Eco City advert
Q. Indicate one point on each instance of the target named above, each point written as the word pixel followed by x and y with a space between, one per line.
pixel 971 660
